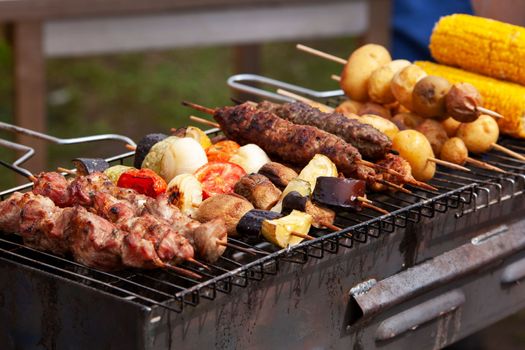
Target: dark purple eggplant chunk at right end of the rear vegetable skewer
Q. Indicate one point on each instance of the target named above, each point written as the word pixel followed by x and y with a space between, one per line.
pixel 339 192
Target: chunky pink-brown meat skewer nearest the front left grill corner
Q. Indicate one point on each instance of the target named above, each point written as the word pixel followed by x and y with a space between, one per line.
pixel 91 239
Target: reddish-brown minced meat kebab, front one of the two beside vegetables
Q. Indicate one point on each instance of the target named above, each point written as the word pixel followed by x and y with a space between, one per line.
pixel 296 144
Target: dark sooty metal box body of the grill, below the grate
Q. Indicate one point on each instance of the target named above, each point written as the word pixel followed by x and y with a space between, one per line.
pixel 303 306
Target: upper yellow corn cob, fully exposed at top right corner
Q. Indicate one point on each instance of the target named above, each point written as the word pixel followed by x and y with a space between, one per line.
pixel 480 45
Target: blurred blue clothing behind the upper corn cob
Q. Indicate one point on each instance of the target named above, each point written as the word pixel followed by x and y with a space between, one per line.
pixel 413 21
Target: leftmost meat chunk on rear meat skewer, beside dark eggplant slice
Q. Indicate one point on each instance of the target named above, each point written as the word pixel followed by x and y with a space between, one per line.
pixel 53 185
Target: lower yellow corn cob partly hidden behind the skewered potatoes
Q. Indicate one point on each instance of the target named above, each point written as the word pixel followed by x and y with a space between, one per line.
pixel 506 98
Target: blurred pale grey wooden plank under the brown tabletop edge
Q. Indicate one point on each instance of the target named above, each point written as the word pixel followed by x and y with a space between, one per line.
pixel 226 26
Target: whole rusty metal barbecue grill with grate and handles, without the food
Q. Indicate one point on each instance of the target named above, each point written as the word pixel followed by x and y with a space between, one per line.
pixel 442 265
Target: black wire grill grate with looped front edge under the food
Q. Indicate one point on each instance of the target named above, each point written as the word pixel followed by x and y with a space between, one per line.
pixel 458 193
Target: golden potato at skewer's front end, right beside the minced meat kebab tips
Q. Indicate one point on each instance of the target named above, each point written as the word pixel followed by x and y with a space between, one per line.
pixel 414 147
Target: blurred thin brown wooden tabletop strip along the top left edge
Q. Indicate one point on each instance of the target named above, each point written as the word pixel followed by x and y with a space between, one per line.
pixel 11 10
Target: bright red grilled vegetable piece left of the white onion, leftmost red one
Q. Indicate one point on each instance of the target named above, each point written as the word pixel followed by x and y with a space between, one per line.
pixel 144 181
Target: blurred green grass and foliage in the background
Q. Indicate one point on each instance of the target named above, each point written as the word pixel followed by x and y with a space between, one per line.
pixel 137 93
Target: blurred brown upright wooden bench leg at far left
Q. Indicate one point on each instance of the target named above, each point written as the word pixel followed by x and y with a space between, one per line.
pixel 29 88
